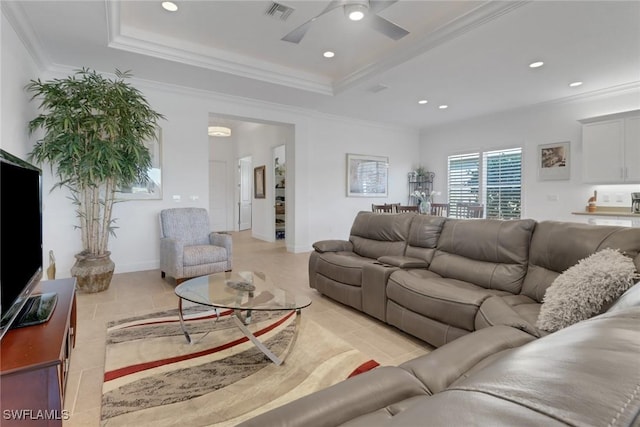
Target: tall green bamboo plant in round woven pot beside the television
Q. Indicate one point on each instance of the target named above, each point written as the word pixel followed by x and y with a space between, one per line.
pixel 95 131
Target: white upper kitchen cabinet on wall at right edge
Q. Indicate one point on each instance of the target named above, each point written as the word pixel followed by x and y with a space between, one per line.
pixel 611 148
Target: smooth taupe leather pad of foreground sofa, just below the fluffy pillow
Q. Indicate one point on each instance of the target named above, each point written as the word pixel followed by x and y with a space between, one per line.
pixel 438 369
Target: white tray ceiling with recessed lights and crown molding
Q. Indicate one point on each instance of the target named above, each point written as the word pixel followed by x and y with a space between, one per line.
pixel 470 55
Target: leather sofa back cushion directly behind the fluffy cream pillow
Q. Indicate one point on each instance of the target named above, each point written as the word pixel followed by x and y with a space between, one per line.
pixel 557 246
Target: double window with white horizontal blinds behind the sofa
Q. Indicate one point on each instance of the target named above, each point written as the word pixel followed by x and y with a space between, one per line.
pixel 485 184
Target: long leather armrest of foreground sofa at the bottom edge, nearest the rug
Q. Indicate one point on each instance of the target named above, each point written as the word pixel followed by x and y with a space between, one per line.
pixel 344 401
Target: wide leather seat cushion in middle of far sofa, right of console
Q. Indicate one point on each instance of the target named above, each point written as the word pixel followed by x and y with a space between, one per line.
pixel 449 301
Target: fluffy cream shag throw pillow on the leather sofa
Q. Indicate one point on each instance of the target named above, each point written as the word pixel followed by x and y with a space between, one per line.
pixel 582 290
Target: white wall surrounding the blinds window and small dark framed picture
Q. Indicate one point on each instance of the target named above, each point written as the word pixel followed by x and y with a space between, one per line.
pixel 528 128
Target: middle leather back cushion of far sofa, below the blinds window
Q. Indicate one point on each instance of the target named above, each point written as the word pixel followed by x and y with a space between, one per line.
pixel 490 253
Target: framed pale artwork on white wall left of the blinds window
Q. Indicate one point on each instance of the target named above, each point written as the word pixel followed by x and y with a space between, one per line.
pixel 367 176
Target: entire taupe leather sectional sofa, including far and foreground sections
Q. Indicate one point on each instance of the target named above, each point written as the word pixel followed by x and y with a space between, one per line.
pixel 477 286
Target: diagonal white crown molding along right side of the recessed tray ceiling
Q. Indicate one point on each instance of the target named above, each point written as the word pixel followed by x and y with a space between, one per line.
pixel 451 30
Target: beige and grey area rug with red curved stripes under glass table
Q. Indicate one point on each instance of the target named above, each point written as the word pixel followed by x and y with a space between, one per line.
pixel 154 377
